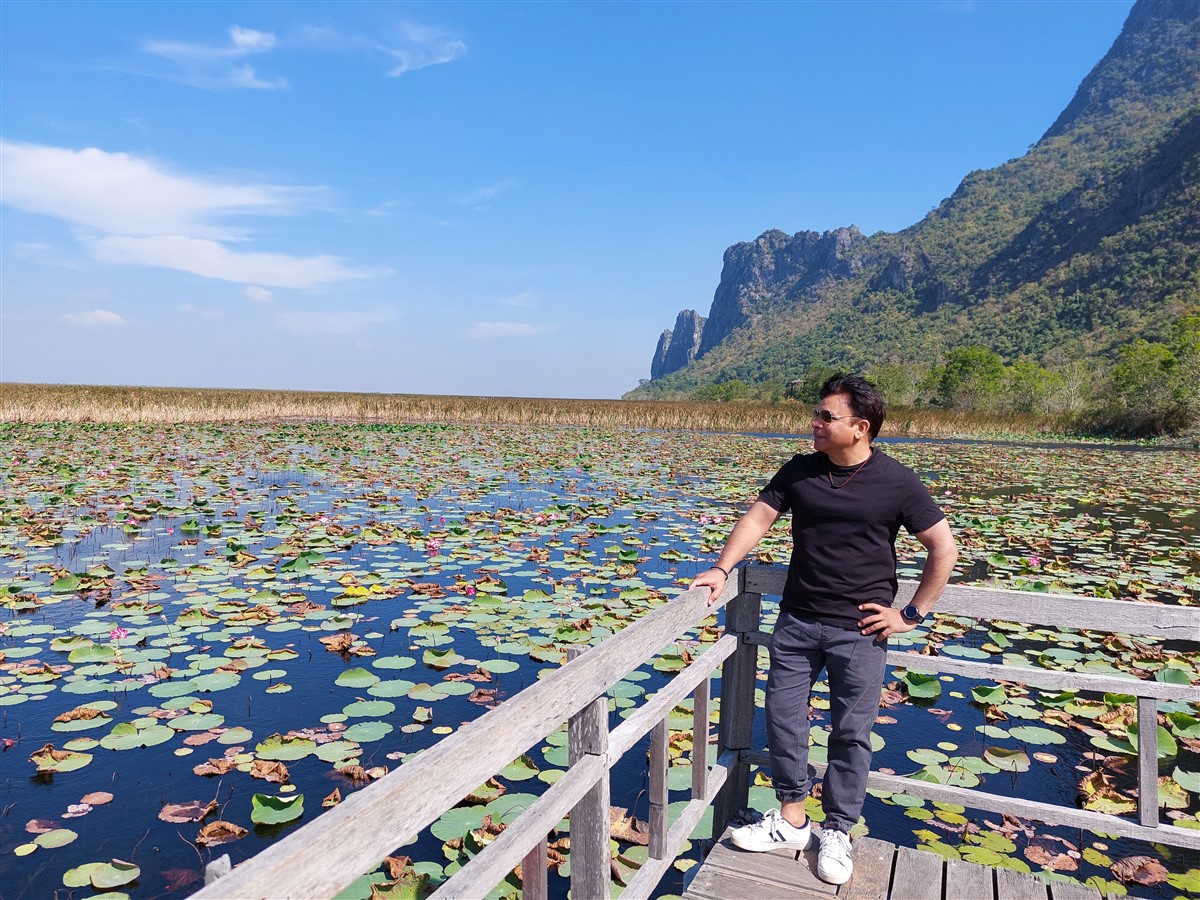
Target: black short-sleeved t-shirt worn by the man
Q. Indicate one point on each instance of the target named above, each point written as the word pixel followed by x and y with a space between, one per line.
pixel 844 529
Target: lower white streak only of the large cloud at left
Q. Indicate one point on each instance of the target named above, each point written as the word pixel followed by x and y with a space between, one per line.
pixel 215 261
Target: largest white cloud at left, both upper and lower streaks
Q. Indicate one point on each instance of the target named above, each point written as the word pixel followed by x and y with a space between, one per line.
pixel 134 212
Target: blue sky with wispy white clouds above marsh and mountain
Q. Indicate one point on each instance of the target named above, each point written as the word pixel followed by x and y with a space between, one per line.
pixel 485 199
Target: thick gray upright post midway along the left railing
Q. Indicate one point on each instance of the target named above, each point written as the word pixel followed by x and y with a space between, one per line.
pixel 591 854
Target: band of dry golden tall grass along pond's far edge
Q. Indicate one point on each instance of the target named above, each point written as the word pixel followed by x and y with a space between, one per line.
pixel 104 404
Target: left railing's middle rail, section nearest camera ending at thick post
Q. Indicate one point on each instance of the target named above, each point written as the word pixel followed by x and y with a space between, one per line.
pixel 499 859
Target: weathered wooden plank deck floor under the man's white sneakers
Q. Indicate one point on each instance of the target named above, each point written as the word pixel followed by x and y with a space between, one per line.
pixel 883 872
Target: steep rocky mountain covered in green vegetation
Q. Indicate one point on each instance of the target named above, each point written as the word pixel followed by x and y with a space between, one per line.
pixel 1087 243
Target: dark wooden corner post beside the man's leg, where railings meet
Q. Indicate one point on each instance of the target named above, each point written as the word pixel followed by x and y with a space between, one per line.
pixel 739 677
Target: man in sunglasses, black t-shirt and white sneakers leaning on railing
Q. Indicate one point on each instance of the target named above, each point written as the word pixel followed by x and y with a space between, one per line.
pixel 849 501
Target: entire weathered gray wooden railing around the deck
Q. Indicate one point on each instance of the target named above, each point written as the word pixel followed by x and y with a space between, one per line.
pixel 352 838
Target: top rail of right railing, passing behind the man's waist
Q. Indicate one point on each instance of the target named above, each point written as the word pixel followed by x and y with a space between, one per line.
pixel 1052 610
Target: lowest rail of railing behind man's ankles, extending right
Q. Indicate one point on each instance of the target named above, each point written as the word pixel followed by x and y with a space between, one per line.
pixel 1046 813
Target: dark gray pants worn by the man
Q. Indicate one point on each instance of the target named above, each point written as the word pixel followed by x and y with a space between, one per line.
pixel 855 668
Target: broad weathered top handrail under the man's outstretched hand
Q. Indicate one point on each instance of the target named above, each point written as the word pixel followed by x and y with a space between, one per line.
pixel 373 823
